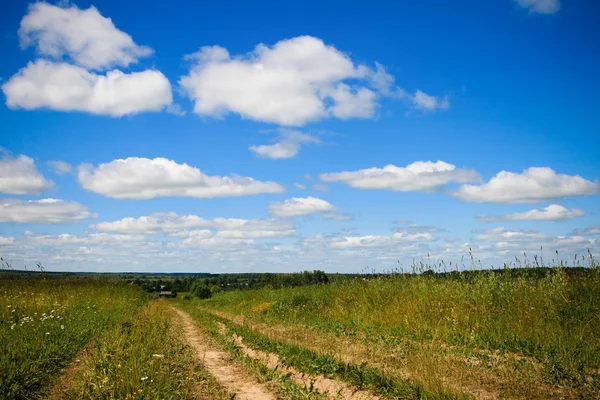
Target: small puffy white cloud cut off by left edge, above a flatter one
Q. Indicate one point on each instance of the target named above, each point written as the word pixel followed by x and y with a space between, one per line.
pixel 19 175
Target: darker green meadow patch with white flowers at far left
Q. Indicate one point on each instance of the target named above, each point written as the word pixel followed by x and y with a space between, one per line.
pixel 45 323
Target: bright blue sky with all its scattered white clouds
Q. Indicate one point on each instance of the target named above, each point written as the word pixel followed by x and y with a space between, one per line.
pixel 231 136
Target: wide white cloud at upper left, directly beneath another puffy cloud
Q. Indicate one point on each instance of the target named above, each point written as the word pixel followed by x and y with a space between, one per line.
pixel 64 87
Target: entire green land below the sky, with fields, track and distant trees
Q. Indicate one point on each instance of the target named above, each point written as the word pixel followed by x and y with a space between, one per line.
pixel 529 332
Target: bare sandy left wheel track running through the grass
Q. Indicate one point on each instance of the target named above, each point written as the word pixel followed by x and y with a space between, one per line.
pixel 232 376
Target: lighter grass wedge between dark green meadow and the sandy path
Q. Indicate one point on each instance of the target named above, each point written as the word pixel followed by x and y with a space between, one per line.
pixel 143 359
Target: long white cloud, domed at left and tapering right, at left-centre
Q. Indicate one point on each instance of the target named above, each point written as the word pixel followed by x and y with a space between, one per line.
pixel 143 178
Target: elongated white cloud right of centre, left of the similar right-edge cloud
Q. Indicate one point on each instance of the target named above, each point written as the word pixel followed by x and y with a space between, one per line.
pixel 419 176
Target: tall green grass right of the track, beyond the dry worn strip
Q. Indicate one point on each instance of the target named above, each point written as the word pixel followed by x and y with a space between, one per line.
pixel 553 317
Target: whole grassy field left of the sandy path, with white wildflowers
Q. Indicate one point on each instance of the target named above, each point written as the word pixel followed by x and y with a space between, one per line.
pixel 113 342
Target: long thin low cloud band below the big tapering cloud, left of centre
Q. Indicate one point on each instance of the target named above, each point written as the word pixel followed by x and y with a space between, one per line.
pixel 188 226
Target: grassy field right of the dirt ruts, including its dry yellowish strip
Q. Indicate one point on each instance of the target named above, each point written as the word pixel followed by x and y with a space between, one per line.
pixel 529 335
